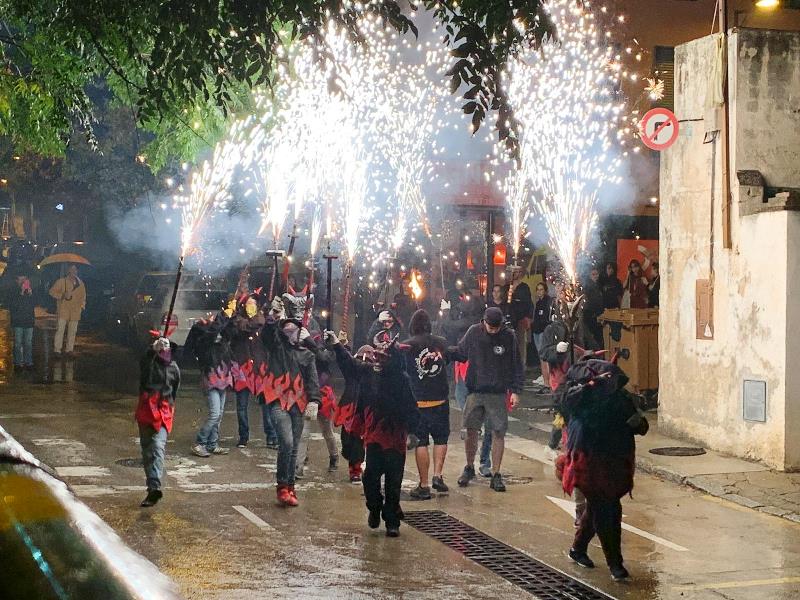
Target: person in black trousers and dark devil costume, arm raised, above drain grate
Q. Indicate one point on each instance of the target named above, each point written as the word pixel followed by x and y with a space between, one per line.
pixel 388 411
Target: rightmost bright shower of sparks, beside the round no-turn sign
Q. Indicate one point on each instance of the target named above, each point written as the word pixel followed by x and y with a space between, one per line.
pixel 566 99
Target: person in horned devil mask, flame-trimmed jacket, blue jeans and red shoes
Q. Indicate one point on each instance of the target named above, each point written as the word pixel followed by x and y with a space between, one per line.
pixel 289 391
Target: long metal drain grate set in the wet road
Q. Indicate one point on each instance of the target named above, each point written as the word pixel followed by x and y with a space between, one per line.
pixel 520 569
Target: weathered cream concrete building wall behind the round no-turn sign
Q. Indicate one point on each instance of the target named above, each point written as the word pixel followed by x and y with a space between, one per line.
pixel 754 282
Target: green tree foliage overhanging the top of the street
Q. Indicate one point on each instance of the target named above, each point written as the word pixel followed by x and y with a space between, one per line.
pixel 184 66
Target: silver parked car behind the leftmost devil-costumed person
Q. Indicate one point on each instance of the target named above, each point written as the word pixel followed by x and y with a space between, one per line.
pixel 191 305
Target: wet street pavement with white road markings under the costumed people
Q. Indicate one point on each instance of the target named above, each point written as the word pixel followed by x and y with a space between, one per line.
pixel 219 534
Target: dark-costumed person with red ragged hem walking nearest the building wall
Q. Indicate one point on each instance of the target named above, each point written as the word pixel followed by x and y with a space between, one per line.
pixel 599 460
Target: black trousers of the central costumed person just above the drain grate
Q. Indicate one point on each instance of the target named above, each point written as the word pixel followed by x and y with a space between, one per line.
pixel 390 464
